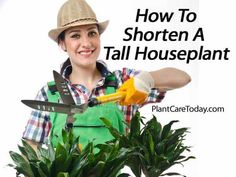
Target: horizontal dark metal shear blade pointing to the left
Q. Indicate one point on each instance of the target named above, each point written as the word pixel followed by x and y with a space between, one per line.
pixel 55 107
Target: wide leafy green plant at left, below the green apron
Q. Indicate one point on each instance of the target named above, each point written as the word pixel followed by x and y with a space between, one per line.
pixel 68 160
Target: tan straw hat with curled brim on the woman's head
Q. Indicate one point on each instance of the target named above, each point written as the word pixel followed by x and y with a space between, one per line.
pixel 75 13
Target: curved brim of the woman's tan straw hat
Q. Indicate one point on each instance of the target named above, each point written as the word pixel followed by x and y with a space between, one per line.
pixel 54 33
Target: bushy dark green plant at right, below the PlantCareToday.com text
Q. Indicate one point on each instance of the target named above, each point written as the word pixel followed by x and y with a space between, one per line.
pixel 157 148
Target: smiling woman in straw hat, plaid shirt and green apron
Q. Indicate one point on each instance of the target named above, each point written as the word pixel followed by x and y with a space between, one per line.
pixel 78 33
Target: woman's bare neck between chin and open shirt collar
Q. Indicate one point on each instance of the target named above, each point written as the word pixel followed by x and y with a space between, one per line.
pixel 87 76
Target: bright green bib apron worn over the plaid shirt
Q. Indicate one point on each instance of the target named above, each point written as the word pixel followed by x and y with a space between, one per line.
pixel 87 125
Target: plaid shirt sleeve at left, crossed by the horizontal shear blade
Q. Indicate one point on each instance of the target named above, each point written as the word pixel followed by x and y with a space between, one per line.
pixel 38 125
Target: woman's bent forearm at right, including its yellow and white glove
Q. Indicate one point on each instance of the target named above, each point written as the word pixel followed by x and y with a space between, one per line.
pixel 138 87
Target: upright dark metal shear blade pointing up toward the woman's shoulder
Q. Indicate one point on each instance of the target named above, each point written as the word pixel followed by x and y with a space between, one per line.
pixel 63 89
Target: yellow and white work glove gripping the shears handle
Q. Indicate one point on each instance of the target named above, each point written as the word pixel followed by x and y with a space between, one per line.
pixel 137 88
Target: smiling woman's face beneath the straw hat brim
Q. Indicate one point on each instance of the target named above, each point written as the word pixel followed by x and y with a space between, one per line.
pixel 82 44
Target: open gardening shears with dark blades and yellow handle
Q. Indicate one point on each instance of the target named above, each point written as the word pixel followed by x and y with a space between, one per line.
pixel 68 106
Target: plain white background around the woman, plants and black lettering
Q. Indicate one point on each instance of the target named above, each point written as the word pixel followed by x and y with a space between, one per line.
pixel 28 56
